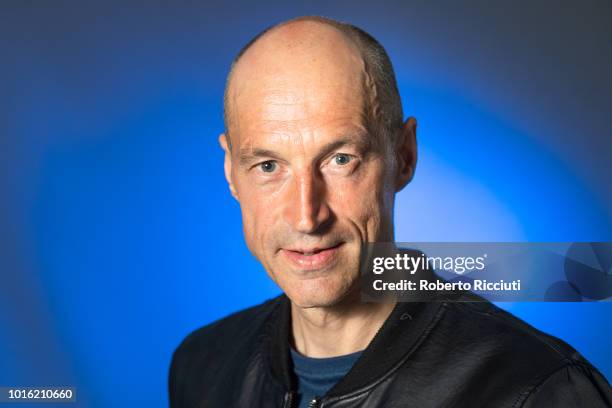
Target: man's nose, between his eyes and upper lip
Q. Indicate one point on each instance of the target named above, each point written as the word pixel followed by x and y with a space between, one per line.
pixel 307 210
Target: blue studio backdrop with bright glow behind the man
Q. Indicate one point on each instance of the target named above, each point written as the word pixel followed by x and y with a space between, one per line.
pixel 118 235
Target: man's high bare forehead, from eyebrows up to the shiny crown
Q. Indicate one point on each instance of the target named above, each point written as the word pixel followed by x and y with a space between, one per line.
pixel 311 80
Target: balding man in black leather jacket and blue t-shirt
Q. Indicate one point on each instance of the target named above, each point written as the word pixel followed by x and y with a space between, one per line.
pixel 315 149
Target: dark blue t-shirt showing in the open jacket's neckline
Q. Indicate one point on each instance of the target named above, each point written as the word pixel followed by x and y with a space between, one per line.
pixel 316 376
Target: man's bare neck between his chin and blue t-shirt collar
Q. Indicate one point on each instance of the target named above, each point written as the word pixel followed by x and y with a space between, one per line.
pixel 337 330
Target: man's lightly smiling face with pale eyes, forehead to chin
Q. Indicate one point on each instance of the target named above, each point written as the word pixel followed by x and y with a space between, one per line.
pixel 313 184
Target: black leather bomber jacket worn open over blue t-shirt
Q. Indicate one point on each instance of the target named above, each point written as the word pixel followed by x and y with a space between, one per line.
pixel 438 354
